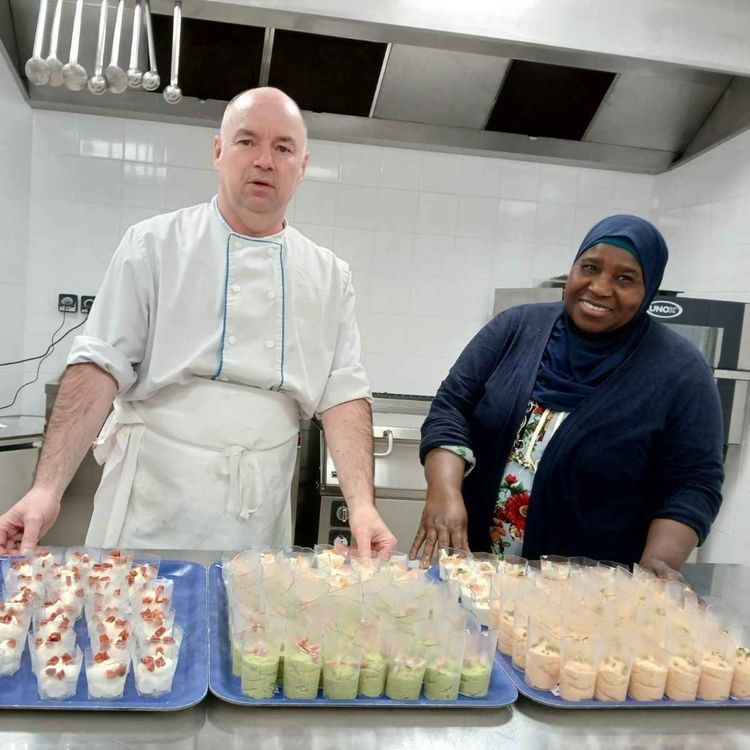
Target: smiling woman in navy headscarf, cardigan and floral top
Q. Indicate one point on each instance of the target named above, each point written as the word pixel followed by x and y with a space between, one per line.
pixel 582 428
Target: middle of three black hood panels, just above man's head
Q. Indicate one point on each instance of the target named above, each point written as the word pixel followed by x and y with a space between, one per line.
pixel 325 73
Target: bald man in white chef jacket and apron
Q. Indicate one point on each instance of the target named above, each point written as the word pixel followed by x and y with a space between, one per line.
pixel 216 327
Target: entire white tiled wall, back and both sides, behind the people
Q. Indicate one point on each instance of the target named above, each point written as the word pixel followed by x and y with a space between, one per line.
pixel 429 236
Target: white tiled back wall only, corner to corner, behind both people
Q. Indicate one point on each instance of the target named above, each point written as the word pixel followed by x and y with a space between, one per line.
pixel 429 235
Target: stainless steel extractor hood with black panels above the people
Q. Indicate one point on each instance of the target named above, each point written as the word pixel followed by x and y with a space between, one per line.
pixel 366 82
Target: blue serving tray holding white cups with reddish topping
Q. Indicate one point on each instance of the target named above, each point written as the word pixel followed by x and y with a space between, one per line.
pixel 190 681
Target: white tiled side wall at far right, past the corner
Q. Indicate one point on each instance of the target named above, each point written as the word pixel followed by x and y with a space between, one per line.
pixel 703 209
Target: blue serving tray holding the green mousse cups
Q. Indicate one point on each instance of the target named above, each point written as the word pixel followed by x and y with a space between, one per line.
pixel 224 685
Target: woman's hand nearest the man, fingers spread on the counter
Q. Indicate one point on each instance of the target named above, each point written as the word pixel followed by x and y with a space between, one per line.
pixel 443 524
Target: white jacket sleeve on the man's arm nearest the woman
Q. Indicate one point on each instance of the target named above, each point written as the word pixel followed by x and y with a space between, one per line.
pixel 347 379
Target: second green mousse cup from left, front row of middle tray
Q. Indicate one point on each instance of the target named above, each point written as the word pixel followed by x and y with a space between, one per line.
pixel 303 658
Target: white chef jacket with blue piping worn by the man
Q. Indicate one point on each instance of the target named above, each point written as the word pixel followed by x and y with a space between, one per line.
pixel 184 296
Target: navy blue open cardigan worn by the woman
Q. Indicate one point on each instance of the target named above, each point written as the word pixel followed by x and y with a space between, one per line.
pixel 647 444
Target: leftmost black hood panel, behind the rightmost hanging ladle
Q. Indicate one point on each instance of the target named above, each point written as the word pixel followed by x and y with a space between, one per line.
pixel 218 60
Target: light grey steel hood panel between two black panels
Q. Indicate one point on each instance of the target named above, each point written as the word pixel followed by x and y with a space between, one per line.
pixel 439 87
